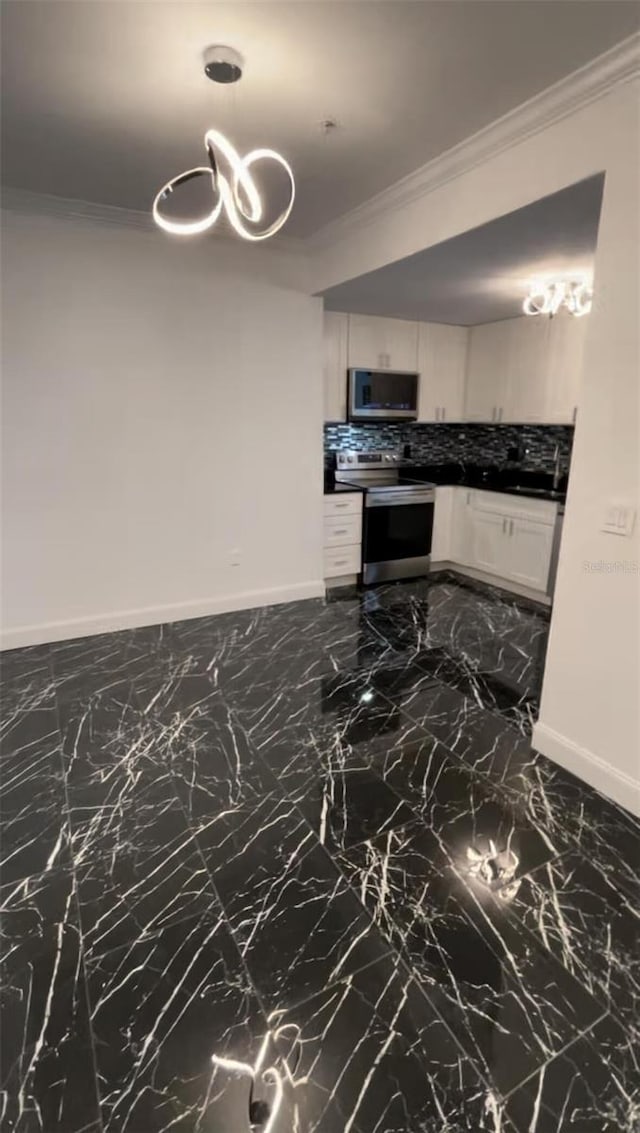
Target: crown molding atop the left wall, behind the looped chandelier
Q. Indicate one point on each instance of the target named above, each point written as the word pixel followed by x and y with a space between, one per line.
pixel 45 205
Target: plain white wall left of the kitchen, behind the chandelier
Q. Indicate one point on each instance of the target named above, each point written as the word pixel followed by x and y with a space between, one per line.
pixel 151 393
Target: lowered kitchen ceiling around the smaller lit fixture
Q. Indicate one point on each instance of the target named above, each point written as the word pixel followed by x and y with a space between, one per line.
pixel 483 276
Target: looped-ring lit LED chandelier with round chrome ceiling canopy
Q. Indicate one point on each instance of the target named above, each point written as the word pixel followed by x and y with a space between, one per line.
pixel 233 185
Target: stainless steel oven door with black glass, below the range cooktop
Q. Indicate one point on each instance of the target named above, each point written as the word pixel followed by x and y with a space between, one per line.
pixel 397 539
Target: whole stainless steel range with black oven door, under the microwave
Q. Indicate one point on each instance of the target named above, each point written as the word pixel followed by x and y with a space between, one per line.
pixel 398 515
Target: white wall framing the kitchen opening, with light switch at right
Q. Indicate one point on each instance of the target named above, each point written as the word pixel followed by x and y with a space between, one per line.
pixel 590 718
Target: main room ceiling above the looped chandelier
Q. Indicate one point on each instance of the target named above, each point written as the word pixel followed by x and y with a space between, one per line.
pixel 105 100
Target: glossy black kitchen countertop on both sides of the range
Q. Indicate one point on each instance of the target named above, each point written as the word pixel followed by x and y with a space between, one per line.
pixel 511 481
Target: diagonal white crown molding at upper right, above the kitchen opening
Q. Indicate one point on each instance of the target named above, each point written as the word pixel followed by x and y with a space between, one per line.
pixel 593 81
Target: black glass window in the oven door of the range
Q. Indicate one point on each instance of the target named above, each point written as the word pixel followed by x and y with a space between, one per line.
pixel 398 532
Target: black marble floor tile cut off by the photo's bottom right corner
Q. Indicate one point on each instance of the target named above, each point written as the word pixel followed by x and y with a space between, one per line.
pixel 593 1087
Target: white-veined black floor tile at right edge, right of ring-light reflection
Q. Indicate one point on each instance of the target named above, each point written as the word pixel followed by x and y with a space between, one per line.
pixel 592 926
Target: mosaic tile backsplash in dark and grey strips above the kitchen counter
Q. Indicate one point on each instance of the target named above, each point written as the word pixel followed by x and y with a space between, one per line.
pixel 467 444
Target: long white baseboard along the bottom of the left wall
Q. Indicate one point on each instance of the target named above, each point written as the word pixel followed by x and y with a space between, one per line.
pixel 155 616
